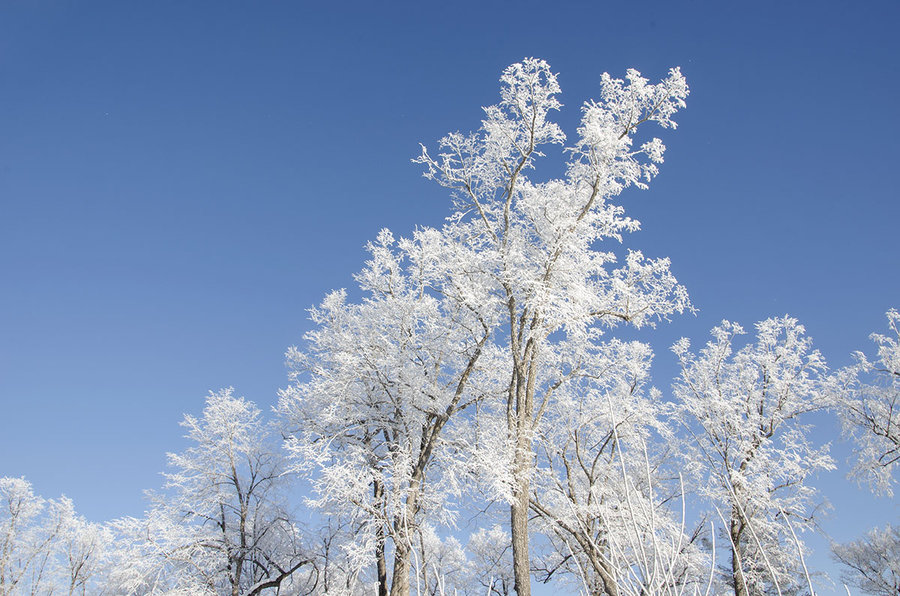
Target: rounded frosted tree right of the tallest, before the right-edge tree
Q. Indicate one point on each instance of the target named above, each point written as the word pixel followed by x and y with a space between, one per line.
pixel 753 456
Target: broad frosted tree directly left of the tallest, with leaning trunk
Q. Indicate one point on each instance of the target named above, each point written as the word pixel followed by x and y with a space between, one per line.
pixel 370 398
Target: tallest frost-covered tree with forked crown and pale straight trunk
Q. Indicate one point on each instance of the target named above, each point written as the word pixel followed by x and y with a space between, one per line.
pixel 529 256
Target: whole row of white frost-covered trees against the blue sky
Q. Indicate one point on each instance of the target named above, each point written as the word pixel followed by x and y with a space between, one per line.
pixel 476 384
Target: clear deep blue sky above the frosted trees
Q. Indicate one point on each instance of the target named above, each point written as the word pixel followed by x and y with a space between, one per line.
pixel 180 181
